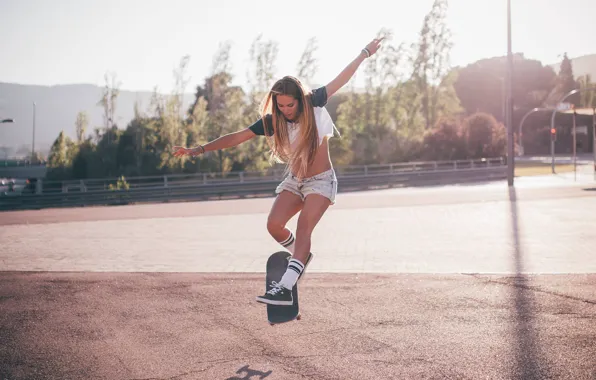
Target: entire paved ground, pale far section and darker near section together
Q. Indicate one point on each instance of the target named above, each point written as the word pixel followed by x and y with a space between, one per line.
pixel 409 316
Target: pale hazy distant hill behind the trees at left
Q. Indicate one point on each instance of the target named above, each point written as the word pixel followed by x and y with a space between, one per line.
pixel 56 110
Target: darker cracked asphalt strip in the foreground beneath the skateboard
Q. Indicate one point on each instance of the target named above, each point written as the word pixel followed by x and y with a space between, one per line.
pixel 354 326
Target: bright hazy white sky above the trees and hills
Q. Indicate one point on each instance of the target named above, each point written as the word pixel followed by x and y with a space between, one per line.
pixel 76 41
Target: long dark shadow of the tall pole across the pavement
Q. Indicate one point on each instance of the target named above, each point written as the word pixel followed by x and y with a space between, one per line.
pixel 527 362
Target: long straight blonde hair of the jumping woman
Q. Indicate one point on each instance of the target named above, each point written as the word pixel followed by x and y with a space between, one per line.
pixel 279 142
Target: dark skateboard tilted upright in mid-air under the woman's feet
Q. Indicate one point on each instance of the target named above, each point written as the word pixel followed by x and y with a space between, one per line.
pixel 276 267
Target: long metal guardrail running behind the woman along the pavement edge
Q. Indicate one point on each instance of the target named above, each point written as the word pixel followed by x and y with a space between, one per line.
pixel 208 186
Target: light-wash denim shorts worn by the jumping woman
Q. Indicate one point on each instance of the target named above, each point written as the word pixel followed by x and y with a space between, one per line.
pixel 324 184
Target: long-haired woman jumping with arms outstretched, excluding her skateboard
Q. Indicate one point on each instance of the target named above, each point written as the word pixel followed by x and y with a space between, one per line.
pixel 297 127
